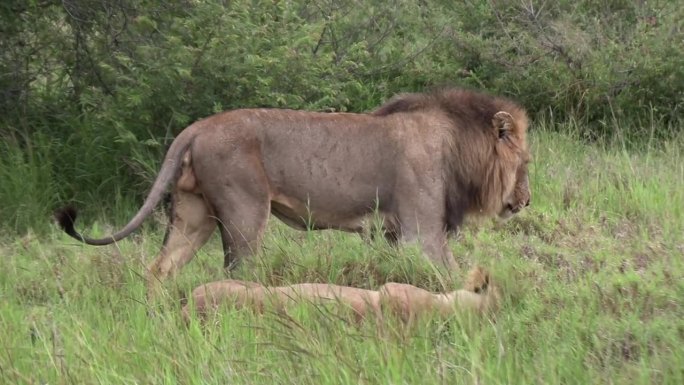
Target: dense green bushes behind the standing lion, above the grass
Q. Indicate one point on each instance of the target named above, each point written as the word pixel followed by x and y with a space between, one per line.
pixel 92 92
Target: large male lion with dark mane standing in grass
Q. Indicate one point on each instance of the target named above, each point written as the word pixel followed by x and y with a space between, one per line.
pixel 423 161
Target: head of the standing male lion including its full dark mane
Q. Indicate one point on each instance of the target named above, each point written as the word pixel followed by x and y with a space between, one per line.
pixel 487 166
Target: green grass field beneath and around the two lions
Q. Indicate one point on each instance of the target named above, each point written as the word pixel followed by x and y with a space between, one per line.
pixel 592 274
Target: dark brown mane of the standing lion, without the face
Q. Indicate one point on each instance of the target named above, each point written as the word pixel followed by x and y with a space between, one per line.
pixel 473 167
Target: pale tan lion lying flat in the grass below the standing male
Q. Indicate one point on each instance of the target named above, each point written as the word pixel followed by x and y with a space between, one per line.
pixel 404 300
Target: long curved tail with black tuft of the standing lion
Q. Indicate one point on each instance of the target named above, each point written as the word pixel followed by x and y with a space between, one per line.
pixel 65 217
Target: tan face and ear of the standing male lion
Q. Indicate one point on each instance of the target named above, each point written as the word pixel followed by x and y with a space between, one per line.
pixel 511 147
